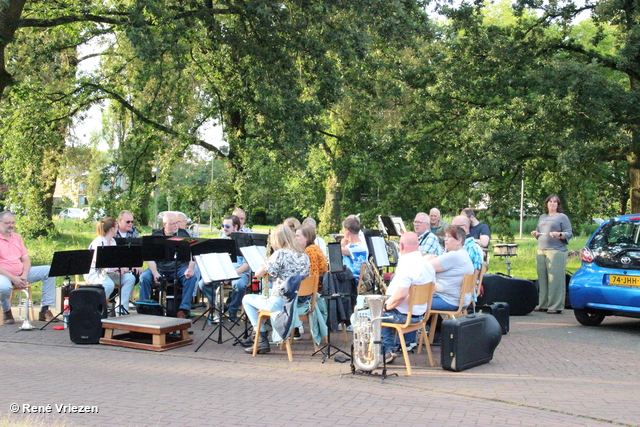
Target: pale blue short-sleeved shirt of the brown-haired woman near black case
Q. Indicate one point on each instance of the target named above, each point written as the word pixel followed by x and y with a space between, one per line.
pixel 455 265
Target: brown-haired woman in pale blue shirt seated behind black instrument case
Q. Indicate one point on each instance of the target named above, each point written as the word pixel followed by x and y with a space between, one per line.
pixel 450 270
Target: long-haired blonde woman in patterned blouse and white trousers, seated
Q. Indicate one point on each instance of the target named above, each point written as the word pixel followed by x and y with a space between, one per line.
pixel 287 260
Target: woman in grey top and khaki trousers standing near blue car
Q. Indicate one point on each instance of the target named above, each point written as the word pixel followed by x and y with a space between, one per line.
pixel 553 233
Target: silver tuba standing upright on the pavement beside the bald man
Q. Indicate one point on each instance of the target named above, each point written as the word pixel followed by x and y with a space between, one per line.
pixel 367 334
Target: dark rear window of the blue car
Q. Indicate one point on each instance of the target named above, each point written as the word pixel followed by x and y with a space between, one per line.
pixel 617 245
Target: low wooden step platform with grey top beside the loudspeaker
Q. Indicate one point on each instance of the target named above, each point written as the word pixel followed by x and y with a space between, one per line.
pixel 146 332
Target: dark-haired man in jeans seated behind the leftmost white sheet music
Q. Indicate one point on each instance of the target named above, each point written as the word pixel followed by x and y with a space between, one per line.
pixel 231 224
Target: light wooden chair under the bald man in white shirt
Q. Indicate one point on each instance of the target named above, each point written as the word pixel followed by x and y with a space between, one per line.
pixel 418 295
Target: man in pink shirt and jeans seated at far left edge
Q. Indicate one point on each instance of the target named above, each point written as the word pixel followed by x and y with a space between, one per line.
pixel 16 271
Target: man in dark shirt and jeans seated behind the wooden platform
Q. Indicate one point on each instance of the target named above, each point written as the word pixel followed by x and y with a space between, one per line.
pixel 186 270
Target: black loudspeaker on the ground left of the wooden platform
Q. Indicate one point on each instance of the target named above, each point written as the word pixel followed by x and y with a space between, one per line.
pixel 88 306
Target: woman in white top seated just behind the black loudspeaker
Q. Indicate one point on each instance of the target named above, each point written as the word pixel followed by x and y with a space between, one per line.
pixel 106 229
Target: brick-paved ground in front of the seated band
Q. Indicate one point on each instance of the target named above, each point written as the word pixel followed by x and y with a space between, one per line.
pixel 548 370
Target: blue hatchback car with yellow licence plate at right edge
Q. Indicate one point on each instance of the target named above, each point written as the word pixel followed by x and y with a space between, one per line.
pixel 608 282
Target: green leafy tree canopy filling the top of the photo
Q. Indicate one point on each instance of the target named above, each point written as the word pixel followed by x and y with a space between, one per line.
pixel 329 107
